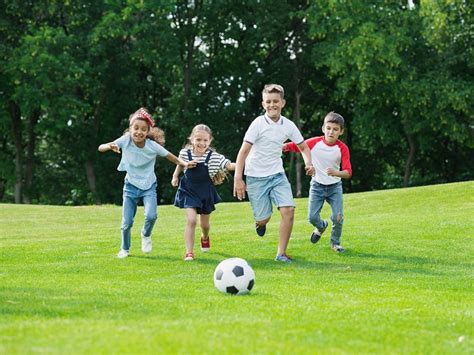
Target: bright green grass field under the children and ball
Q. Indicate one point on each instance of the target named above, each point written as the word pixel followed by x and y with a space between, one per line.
pixel 405 284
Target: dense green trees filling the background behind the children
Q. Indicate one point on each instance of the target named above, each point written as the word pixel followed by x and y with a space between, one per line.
pixel 401 78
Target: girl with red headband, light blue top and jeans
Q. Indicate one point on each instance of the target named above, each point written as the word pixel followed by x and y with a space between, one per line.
pixel 138 160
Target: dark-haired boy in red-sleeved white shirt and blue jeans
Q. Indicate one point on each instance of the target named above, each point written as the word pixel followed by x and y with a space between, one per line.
pixel 331 160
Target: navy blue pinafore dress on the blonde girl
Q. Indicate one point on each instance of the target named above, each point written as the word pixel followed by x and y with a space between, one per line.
pixel 196 189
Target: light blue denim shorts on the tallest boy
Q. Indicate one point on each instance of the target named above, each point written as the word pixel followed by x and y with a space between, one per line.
pixel 263 191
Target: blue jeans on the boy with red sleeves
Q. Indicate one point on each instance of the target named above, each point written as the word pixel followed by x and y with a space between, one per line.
pixel 319 193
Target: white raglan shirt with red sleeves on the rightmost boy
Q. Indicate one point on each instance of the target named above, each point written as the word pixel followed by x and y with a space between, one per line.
pixel 323 156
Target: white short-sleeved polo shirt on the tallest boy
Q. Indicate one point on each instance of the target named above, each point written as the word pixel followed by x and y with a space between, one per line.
pixel 267 138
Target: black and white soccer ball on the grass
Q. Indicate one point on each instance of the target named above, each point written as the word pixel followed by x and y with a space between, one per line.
pixel 234 276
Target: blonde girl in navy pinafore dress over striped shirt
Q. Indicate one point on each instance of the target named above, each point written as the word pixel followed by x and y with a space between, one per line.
pixel 196 192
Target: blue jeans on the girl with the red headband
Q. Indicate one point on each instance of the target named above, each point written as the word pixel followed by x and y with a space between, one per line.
pixel 131 196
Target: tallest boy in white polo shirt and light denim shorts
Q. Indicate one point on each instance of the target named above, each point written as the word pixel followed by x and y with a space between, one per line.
pixel 265 177
